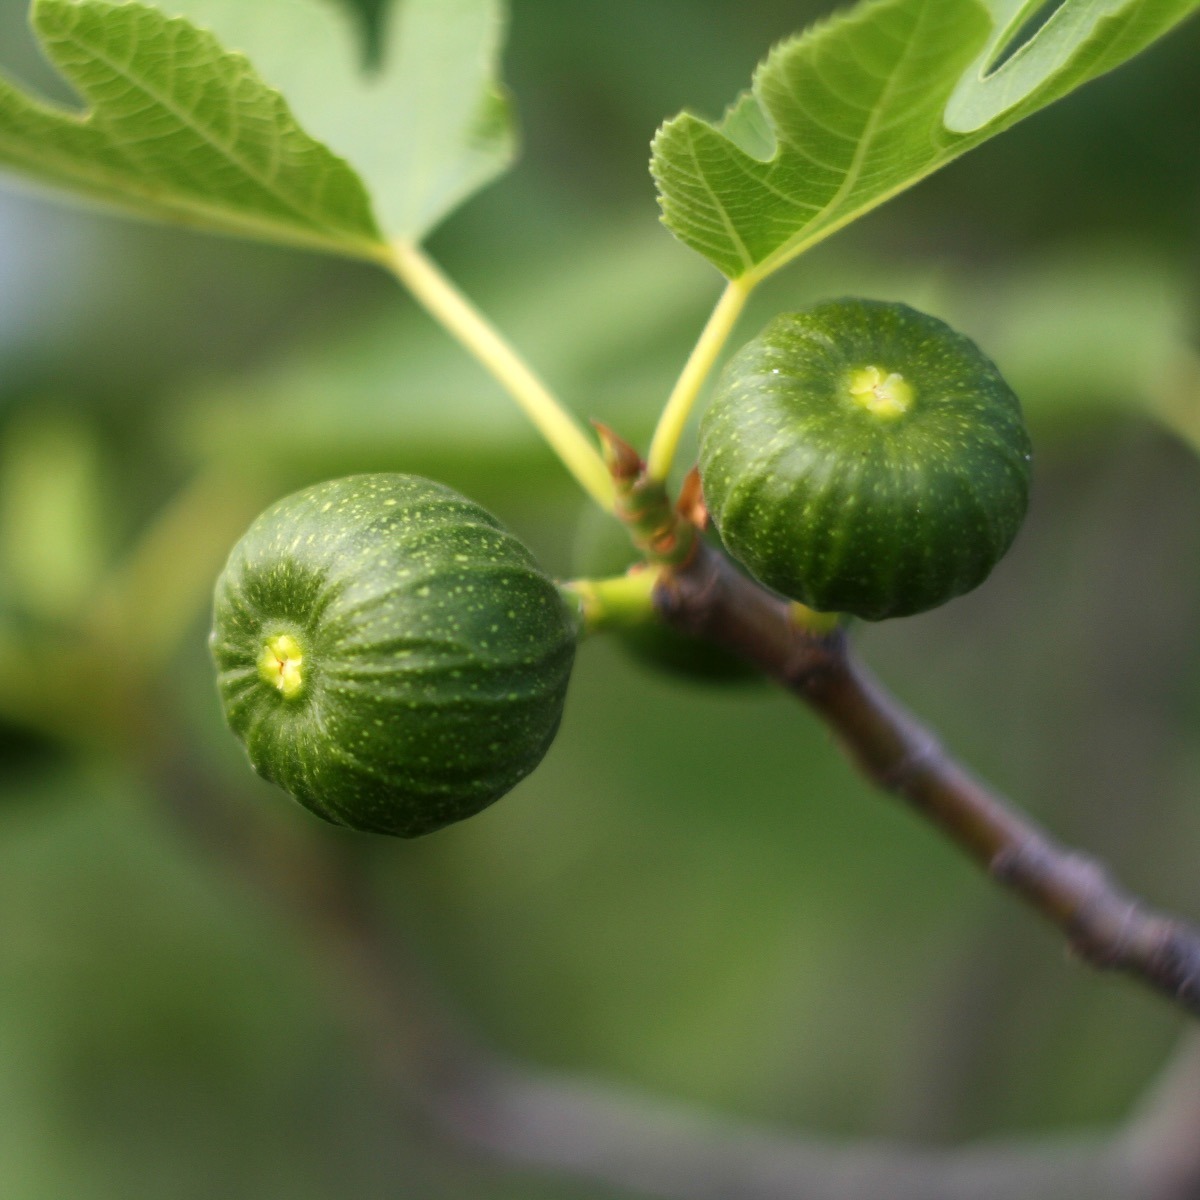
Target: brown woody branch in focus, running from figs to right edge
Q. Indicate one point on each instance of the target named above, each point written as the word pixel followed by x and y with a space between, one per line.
pixel 1106 927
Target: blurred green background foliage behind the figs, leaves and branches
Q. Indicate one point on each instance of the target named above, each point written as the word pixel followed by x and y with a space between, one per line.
pixel 694 896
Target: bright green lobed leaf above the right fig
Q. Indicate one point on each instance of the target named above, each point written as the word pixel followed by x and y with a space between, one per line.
pixel 853 112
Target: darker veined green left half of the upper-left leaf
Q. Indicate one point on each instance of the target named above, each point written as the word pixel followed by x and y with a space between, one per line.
pixel 178 129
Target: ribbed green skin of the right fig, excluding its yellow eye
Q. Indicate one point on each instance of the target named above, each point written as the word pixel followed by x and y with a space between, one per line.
pixel 844 511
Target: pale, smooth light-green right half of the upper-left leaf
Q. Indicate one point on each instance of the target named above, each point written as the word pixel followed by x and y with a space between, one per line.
pixel 425 129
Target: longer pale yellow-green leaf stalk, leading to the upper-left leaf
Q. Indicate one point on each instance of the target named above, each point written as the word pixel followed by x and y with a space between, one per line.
pixel 443 301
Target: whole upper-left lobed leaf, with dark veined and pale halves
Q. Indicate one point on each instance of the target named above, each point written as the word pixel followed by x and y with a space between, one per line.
pixel 209 112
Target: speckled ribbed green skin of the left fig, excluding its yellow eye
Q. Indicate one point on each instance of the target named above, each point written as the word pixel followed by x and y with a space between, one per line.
pixel 436 655
